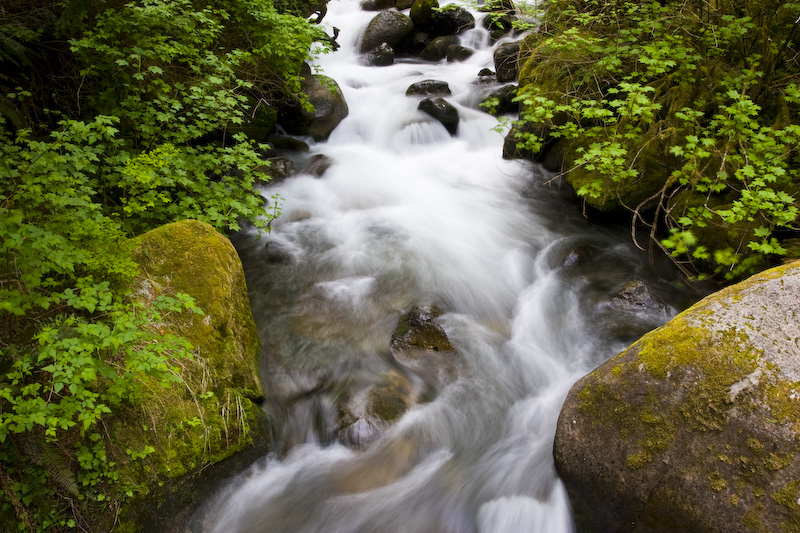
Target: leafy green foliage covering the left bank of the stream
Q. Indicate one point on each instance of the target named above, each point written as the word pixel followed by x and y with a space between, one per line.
pixel 155 94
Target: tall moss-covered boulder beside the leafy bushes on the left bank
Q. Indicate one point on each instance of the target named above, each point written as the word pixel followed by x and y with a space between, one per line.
pixel 210 412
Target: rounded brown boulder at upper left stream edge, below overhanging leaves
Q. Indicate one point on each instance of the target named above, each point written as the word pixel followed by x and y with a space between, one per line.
pixel 330 108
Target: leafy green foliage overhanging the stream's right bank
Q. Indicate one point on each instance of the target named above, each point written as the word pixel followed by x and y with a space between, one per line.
pixel 685 101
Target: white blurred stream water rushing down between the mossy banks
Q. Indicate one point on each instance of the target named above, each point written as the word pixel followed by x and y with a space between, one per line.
pixel 407 215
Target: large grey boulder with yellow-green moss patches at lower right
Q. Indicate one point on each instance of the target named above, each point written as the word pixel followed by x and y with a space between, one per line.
pixel 695 427
